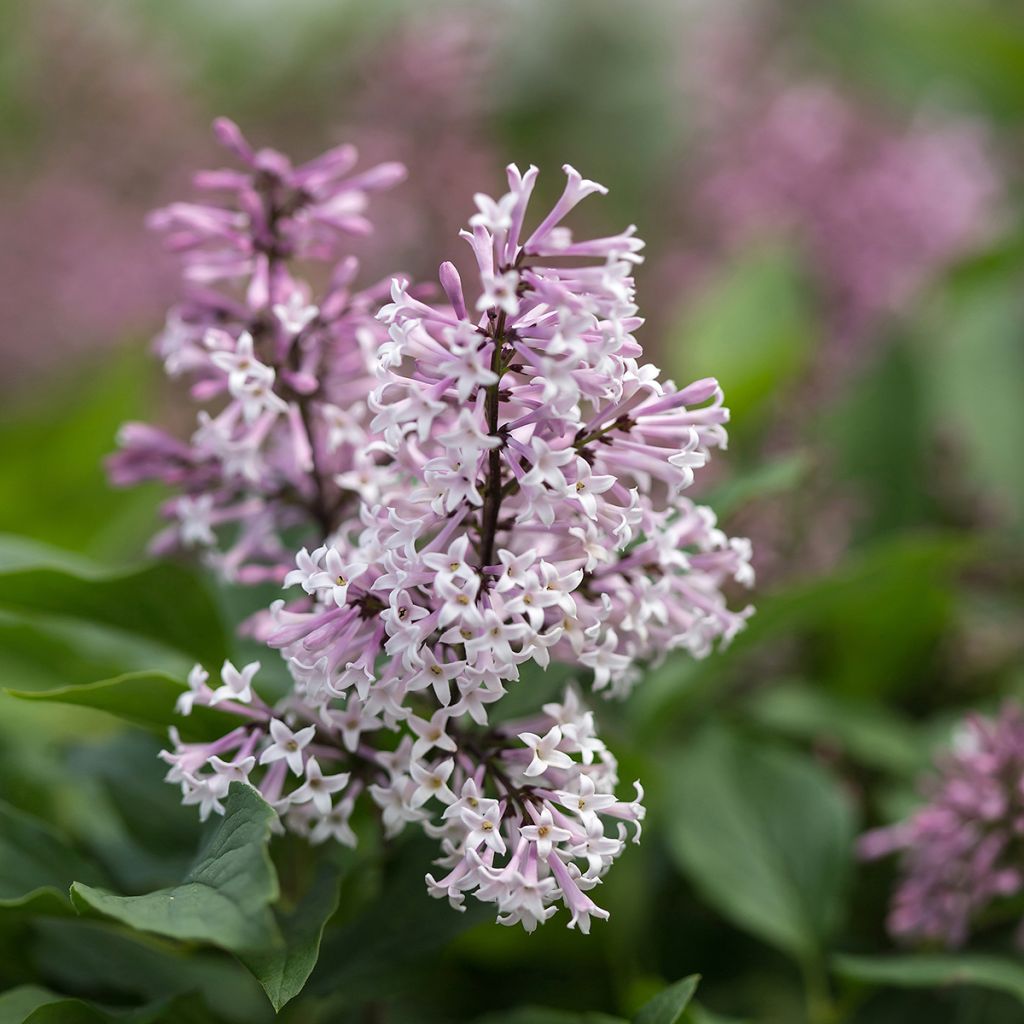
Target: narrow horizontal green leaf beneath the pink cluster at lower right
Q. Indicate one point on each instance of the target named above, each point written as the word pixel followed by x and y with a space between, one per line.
pixel 930 970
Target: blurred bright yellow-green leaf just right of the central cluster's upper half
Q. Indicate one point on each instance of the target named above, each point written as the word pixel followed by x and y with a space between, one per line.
pixel 751 329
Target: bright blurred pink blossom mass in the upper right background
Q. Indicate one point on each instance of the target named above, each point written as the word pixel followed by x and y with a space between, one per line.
pixel 913 200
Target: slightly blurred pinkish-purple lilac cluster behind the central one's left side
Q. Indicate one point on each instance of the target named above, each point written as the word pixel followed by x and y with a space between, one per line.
pixel 288 447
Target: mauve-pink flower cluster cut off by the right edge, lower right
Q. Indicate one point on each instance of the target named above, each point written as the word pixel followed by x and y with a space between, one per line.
pixel 961 852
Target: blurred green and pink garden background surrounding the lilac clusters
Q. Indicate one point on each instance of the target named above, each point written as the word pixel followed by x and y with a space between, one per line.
pixel 832 200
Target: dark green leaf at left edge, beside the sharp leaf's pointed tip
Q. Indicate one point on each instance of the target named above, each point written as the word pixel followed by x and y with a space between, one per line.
pixel 37 866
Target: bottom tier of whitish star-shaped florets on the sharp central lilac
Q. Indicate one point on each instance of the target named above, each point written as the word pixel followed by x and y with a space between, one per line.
pixel 527 821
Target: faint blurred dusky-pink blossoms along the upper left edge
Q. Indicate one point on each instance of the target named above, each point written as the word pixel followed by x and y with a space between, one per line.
pixel 110 130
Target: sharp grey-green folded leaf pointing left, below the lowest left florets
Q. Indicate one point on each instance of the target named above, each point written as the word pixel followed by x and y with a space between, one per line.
pixel 225 900
